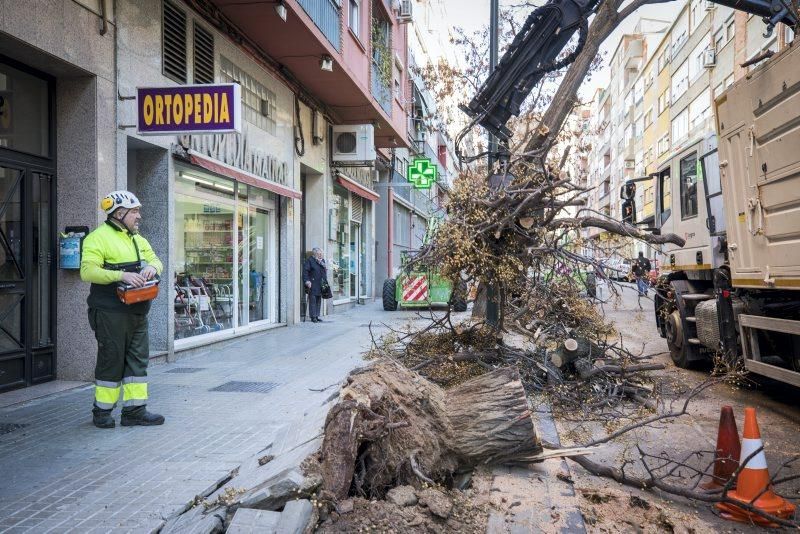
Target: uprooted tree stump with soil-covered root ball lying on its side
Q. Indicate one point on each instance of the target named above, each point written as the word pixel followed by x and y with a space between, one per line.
pixel 392 427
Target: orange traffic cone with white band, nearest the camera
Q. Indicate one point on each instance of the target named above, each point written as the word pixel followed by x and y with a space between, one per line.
pixel 753 486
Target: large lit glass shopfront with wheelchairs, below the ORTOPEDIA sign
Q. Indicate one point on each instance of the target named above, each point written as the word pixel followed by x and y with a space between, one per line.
pixel 225 260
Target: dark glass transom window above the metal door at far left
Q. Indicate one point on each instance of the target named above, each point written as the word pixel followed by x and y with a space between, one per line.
pixel 24 112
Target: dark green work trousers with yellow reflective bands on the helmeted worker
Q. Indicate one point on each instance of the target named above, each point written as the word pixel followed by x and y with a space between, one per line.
pixel 123 351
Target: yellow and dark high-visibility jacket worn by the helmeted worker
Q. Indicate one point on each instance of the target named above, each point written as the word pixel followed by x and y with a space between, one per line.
pixel 106 253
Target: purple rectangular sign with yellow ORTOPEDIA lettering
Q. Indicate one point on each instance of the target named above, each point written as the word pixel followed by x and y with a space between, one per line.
pixel 189 109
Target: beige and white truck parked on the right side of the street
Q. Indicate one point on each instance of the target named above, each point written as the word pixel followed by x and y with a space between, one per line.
pixel 735 285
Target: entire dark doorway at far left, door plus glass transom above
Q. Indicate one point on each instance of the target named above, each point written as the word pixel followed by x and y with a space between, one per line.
pixel 27 226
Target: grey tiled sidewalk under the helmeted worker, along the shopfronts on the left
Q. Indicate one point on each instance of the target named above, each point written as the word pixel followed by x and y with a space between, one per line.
pixel 61 474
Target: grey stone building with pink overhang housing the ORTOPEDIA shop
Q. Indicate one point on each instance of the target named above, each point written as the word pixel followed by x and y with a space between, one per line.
pixel 232 215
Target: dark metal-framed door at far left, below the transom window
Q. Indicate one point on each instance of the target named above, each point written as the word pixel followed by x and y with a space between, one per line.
pixel 26 277
